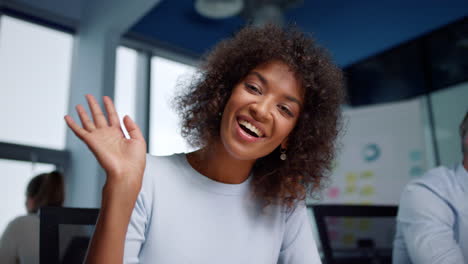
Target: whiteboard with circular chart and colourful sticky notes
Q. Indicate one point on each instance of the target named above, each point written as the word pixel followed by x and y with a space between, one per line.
pixel 382 148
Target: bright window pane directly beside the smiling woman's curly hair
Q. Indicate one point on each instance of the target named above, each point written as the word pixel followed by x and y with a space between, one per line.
pixel 164 132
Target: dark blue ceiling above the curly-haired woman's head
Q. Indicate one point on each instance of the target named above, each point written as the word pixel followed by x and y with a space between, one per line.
pixel 351 30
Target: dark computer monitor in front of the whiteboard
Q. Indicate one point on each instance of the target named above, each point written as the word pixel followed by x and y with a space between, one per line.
pixel 356 234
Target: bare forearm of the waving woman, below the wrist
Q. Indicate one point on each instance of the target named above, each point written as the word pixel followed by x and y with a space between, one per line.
pixel 107 243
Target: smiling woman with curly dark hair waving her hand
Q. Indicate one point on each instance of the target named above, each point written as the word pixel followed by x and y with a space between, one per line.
pixel 264 111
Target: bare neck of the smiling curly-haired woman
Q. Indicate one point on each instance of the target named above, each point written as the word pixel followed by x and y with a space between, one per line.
pixel 217 164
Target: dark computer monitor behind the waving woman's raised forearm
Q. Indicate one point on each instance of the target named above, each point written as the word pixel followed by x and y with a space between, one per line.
pixel 65 234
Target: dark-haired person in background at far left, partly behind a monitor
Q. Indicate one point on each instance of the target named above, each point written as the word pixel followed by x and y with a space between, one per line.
pixel 20 241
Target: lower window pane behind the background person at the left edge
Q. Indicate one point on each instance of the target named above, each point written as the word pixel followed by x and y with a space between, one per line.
pixel 16 176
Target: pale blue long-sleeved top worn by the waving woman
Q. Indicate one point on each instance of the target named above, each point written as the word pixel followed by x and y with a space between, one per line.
pixel 182 216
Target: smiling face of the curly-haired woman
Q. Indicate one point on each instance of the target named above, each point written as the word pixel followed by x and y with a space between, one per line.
pixel 261 112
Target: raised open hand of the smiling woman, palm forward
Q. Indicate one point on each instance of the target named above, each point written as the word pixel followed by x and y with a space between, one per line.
pixel 123 159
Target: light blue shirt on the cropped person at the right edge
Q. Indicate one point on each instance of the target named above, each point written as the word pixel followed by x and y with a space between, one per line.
pixel 432 222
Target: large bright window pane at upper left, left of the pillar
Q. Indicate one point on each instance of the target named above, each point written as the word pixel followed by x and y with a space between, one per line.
pixel 34 83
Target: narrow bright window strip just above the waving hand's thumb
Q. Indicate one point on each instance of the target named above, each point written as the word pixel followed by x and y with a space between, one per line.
pixel 125 83
